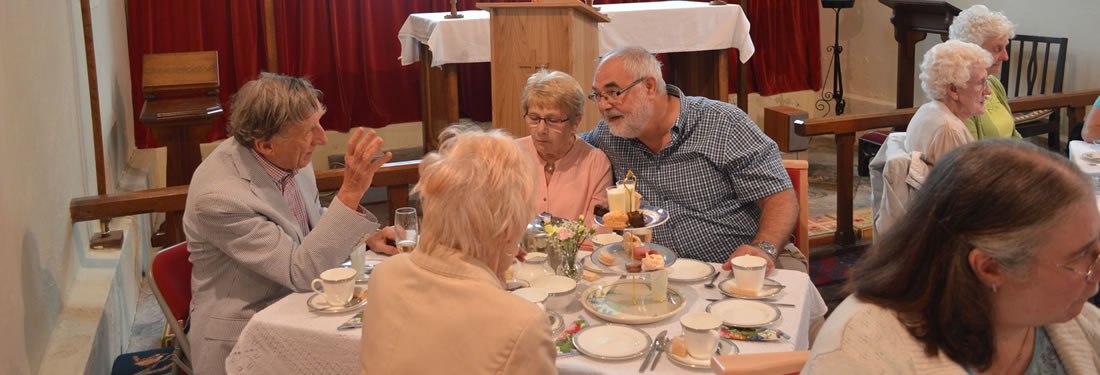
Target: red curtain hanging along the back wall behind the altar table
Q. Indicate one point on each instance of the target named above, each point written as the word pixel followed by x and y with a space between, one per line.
pixel 350 50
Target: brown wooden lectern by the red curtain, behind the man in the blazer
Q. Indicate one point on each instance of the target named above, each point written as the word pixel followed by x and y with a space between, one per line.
pixel 181 92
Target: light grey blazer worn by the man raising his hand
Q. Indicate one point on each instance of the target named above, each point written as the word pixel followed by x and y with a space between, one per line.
pixel 248 249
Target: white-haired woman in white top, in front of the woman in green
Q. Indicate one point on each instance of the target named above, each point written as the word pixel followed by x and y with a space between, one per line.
pixel 953 74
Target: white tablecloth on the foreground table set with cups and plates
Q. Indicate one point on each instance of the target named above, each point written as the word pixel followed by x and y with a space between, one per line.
pixel 288 339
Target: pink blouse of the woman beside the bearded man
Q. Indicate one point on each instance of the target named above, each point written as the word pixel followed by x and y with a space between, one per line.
pixel 578 184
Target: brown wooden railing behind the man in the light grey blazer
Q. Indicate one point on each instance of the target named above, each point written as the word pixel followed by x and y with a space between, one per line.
pixel 395 178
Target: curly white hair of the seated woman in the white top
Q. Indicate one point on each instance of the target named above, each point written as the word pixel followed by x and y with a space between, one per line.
pixel 950 63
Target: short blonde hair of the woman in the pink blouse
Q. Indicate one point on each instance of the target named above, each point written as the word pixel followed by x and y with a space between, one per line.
pixel 556 91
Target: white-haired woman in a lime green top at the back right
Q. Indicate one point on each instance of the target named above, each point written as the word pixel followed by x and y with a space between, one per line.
pixel 992 31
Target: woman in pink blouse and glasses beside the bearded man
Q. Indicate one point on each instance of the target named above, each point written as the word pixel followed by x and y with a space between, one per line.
pixel 575 175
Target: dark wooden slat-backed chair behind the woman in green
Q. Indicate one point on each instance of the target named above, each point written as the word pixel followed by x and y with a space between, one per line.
pixel 1029 72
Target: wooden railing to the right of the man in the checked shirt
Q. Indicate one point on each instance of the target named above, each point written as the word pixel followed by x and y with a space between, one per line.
pixel 844 129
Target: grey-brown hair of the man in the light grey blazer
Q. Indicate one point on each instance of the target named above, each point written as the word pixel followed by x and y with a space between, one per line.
pixel 269 106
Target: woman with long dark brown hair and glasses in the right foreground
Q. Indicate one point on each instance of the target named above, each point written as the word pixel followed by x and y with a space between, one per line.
pixel 987 278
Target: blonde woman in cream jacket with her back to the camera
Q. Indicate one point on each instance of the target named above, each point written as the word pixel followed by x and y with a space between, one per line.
pixel 443 308
